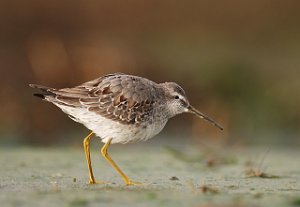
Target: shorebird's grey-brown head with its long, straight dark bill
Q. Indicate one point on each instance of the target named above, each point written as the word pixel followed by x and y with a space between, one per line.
pixel 177 103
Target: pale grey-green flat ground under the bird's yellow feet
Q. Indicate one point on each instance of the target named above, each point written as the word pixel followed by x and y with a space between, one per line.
pixel 171 177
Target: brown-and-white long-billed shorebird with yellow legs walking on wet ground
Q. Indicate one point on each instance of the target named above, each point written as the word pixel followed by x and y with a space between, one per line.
pixel 120 108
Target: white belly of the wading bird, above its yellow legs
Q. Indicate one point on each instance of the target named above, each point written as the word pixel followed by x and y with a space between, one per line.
pixel 108 129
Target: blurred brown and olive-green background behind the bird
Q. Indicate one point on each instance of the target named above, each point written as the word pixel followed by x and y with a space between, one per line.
pixel 238 61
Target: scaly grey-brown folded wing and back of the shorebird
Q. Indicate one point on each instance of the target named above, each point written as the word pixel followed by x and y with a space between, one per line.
pixel 123 98
